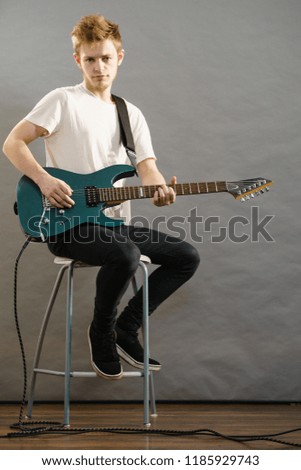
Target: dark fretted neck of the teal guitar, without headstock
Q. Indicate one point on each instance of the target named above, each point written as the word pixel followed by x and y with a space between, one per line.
pixel 144 192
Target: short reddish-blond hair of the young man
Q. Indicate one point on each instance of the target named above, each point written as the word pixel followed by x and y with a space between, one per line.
pixel 95 28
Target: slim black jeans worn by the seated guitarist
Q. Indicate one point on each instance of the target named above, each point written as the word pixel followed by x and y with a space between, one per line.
pixel 118 251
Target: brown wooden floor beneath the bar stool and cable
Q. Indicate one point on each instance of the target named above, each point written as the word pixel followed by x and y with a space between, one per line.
pixel 231 419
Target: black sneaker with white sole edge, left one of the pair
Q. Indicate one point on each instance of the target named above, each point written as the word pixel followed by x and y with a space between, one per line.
pixel 104 357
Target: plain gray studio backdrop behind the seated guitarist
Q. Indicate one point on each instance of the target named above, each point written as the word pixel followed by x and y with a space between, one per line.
pixel 219 83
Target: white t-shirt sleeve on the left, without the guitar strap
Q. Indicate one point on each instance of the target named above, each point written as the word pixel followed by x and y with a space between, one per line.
pixel 48 112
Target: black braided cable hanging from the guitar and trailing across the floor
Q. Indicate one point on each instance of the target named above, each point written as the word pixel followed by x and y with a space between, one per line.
pixel 28 428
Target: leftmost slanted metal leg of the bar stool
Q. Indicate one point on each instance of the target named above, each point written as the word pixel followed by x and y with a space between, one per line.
pixel 41 337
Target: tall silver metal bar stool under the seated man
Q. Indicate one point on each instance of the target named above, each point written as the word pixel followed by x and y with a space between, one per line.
pixel 69 265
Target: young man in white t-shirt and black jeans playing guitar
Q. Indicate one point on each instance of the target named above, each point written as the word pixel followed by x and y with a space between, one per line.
pixel 79 125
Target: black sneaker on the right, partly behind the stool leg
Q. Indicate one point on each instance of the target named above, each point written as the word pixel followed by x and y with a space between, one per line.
pixel 129 348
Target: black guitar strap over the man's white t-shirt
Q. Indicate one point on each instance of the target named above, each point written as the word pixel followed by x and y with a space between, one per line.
pixel 125 130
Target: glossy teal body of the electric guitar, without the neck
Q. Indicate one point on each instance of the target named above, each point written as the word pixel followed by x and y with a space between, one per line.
pixel 41 220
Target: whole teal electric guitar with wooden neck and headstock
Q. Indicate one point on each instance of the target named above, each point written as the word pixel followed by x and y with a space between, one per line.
pixel 93 192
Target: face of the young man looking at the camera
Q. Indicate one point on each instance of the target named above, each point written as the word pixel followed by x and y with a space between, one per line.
pixel 99 64
